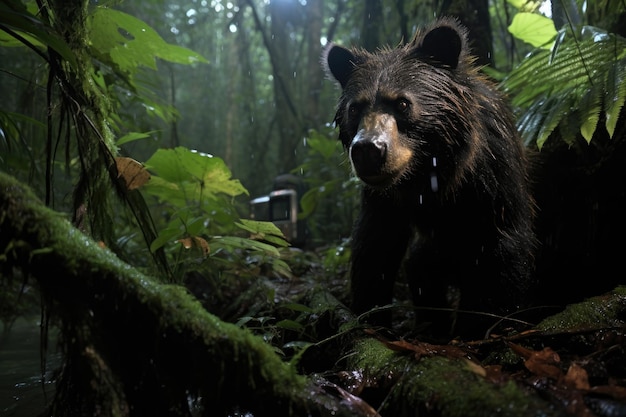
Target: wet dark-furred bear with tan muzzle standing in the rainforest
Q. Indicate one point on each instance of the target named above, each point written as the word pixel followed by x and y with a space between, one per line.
pixel 445 199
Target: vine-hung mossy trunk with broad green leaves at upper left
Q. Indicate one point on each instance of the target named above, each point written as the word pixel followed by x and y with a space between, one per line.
pixel 87 63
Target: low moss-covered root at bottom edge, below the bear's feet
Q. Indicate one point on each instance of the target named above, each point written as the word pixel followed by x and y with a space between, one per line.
pixel 444 386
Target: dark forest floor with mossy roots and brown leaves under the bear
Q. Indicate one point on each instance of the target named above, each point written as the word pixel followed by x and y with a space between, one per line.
pixel 571 362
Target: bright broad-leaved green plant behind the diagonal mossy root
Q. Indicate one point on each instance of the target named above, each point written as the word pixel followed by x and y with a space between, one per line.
pixel 195 193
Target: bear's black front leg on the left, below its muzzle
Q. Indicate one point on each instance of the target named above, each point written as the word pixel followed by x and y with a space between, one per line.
pixel 379 242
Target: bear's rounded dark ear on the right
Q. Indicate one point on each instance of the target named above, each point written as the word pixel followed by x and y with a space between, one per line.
pixel 442 45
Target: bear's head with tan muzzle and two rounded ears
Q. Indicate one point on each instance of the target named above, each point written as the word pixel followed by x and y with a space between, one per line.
pixel 401 112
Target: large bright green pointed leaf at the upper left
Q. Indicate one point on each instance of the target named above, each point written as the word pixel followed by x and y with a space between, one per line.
pixel 131 44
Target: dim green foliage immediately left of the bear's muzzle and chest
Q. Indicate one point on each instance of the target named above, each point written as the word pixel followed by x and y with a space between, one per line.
pixel 332 197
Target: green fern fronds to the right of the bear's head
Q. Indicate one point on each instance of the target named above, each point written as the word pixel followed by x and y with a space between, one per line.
pixel 570 86
